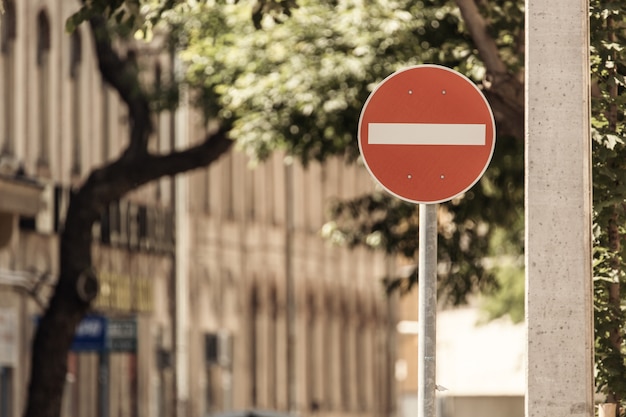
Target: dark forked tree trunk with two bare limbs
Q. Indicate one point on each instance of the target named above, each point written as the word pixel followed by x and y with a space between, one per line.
pixel 77 284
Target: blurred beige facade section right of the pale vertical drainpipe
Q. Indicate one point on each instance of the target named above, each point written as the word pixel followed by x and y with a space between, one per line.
pixel 238 289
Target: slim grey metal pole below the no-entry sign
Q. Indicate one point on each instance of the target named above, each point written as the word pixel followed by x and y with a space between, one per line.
pixel 427 332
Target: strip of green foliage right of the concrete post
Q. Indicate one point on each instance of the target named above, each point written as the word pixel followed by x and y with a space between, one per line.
pixel 608 65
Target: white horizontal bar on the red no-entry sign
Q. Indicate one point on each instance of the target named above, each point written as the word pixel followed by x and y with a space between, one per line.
pixel 425 134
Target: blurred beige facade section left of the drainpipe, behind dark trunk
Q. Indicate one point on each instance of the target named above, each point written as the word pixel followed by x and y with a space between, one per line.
pixel 58 120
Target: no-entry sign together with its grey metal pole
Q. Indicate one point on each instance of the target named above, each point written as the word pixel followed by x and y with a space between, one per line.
pixel 401 126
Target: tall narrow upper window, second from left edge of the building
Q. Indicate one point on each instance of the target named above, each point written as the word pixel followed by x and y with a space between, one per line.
pixel 43 87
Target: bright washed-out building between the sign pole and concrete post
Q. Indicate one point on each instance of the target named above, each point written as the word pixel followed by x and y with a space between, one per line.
pixel 481 364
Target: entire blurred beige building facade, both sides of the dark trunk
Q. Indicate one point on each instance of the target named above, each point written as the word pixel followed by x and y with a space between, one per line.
pixel 217 292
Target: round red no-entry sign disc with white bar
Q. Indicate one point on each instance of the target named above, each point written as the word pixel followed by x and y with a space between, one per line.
pixel 426 134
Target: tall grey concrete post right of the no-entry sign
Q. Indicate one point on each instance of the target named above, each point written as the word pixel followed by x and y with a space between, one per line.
pixel 559 294
